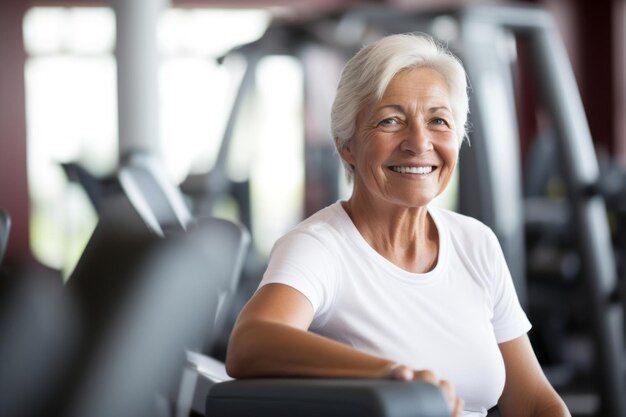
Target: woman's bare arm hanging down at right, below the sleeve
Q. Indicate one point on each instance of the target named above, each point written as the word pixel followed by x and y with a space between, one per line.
pixel 527 391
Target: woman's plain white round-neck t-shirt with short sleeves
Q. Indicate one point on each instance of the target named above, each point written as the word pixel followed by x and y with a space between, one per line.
pixel 449 320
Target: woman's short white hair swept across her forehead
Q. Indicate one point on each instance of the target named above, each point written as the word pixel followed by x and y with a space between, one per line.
pixel 367 74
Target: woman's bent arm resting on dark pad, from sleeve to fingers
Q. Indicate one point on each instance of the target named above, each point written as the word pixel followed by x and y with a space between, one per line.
pixel 271 338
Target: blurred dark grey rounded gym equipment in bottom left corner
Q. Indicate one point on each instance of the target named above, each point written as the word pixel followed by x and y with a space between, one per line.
pixel 38 333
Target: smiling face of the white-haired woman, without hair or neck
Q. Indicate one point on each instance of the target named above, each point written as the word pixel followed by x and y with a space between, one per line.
pixel 405 149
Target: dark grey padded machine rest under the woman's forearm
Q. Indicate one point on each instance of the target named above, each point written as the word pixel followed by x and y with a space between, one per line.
pixel 285 397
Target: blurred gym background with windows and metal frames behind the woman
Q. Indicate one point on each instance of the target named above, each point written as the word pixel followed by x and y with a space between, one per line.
pixel 229 103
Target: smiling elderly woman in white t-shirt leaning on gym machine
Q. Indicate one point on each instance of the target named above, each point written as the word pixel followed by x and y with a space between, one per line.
pixel 385 285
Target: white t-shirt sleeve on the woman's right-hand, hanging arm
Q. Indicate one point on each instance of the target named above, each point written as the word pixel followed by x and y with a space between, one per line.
pixel 509 319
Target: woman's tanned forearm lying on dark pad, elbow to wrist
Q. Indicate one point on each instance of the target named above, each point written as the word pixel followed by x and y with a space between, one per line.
pixel 262 349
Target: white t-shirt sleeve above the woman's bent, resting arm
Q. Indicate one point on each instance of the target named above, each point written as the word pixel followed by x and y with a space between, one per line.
pixel 301 261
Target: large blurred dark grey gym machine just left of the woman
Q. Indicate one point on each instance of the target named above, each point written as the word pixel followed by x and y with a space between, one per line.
pixel 151 284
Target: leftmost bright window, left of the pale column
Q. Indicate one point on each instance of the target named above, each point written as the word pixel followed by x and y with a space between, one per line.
pixel 71 115
